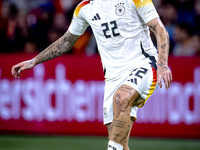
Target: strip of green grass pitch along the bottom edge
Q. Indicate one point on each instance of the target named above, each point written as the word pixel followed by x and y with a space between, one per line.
pixel 8 142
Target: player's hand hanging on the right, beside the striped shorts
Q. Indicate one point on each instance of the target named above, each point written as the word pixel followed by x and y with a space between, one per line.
pixel 165 74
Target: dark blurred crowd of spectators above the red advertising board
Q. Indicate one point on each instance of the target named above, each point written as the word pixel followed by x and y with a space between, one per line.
pixel 31 25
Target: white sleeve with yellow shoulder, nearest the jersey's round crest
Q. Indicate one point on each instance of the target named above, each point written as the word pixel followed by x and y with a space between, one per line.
pixel 146 10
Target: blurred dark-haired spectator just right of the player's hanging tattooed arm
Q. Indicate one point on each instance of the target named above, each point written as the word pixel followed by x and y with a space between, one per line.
pixel 183 36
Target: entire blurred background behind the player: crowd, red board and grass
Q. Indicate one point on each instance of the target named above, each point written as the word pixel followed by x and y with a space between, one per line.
pixel 38 110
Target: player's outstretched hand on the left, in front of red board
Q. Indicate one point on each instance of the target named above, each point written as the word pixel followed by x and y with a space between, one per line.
pixel 17 69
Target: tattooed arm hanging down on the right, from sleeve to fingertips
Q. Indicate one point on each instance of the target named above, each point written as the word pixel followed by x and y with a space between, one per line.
pixel 162 37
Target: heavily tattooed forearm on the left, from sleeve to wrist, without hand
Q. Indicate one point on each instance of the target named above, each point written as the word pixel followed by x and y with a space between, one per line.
pixel 57 48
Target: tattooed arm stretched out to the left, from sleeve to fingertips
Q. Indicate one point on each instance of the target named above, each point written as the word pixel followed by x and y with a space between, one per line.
pixel 59 47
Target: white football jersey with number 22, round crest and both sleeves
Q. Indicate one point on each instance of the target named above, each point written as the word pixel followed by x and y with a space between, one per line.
pixel 120 29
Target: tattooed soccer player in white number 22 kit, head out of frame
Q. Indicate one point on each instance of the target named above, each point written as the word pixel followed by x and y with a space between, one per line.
pixel 133 67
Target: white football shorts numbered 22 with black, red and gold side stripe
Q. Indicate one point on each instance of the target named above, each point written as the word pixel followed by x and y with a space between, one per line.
pixel 142 78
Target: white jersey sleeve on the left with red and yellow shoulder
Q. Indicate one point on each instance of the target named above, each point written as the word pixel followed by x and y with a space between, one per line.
pixel 79 24
